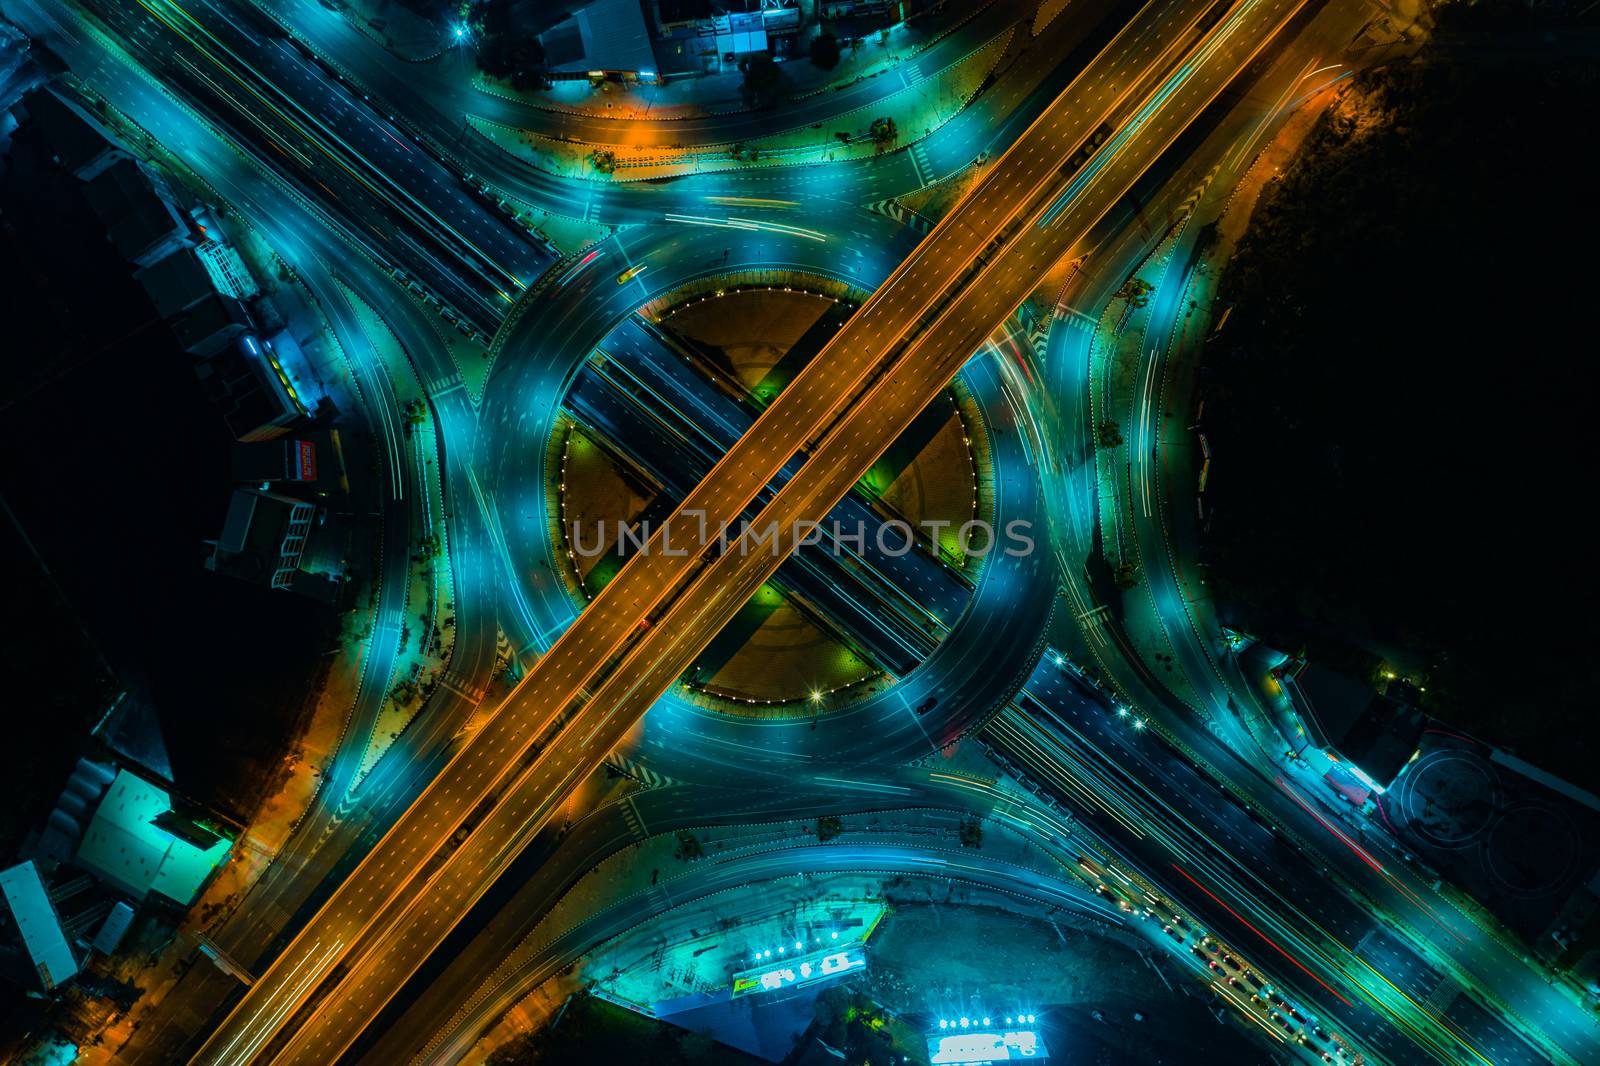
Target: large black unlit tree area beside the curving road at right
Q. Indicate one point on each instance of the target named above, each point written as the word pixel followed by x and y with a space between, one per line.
pixel 1398 406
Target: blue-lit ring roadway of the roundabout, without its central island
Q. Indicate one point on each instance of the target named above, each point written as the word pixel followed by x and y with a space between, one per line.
pixel 970 673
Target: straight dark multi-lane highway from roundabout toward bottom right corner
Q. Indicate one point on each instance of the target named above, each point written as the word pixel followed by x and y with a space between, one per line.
pixel 1196 838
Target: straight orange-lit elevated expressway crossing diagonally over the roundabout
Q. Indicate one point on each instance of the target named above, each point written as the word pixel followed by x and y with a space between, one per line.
pixel 668 603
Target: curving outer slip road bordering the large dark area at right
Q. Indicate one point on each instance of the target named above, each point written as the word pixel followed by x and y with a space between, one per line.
pixel 1159 499
